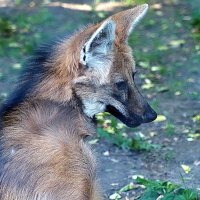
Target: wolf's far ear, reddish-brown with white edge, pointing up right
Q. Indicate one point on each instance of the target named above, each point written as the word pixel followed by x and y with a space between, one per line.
pixel 127 20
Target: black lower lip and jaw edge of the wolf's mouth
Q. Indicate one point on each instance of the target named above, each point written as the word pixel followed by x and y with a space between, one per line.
pixel 131 122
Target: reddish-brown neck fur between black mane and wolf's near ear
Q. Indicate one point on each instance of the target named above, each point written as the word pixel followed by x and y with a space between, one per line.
pixel 65 67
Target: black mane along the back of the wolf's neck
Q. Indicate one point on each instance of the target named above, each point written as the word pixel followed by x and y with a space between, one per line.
pixel 29 78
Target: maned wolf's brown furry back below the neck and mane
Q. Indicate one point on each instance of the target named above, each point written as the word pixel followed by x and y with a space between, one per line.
pixel 44 155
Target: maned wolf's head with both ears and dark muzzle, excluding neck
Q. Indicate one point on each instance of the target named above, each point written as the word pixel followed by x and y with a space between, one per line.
pixel 105 80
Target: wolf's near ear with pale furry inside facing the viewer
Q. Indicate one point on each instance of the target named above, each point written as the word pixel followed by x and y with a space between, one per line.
pixel 97 50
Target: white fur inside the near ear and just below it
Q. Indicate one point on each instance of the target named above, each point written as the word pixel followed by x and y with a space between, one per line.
pixel 98 59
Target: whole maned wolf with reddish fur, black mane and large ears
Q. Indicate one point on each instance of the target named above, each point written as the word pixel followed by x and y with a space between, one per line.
pixel 44 154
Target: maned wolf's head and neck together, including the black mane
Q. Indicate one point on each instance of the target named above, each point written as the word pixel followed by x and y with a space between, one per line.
pixel 95 65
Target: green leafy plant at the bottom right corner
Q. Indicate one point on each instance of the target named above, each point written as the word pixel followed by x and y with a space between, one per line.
pixel 157 190
